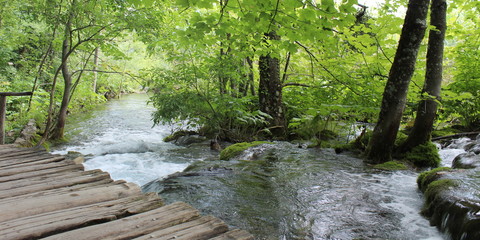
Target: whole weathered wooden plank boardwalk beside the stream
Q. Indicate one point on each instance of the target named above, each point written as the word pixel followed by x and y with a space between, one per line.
pixel 44 196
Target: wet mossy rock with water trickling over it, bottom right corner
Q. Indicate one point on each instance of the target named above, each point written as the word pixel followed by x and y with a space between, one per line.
pixel 452 201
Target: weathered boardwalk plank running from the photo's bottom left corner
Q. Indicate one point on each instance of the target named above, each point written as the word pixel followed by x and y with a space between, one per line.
pixel 43 225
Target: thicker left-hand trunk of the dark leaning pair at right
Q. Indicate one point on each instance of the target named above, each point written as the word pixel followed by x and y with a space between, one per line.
pixel 394 96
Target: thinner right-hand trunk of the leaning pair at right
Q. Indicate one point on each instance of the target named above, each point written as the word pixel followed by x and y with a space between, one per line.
pixel 427 108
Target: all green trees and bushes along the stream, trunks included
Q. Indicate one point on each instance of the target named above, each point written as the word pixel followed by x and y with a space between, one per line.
pixel 248 70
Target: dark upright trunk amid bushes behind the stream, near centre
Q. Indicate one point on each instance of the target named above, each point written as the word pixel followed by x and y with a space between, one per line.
pixel 270 91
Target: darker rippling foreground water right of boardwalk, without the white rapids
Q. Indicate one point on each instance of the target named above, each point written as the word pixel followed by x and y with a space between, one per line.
pixel 292 193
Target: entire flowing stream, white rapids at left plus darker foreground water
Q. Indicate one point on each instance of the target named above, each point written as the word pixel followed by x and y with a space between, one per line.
pixel 282 192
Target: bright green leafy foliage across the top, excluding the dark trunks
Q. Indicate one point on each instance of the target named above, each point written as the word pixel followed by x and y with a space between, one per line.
pixel 200 58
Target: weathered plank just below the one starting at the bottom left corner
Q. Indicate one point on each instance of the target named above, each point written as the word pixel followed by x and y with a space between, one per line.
pixel 134 226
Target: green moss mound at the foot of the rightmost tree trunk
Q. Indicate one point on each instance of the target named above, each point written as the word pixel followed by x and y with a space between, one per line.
pixel 425 155
